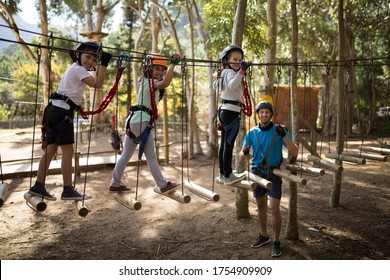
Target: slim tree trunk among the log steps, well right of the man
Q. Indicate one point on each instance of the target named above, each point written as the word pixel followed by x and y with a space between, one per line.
pixel 336 189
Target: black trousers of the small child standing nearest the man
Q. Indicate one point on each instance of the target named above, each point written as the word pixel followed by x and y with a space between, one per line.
pixel 225 149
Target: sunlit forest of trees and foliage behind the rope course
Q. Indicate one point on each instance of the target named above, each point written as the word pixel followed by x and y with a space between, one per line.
pixel 341 47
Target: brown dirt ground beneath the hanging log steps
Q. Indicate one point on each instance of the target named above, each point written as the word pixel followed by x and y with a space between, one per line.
pixel 200 230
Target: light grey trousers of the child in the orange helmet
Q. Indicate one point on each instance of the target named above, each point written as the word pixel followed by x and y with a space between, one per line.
pixel 128 150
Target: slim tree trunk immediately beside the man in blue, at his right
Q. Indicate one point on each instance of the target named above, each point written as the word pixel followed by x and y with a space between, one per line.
pixel 292 217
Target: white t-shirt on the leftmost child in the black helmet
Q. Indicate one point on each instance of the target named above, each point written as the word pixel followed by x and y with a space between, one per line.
pixel 72 86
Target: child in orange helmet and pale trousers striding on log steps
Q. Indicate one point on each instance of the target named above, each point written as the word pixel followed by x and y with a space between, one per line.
pixel 140 121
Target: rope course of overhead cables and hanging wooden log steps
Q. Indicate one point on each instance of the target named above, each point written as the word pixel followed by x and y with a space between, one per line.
pixel 329 161
